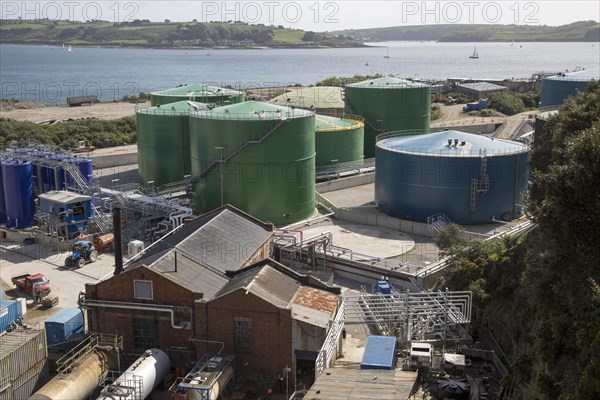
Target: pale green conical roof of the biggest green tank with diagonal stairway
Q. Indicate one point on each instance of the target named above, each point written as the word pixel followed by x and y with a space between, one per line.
pixel 254 111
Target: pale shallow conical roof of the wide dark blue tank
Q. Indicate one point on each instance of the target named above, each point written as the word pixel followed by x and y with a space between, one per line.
pixel 436 144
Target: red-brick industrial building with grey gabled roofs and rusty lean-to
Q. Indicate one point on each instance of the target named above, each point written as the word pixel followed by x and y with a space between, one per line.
pixel 211 287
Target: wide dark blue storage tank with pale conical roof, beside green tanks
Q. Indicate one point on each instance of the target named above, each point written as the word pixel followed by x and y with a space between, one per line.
pixel 472 179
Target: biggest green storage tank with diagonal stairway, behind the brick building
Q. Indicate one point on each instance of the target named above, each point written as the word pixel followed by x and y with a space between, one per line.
pixel 258 157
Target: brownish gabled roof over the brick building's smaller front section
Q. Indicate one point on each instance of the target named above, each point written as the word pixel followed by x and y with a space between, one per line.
pixel 264 282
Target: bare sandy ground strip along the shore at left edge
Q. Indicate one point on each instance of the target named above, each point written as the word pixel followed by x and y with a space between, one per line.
pixel 98 110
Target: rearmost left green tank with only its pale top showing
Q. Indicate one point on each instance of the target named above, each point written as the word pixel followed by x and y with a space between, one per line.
pixel 197 92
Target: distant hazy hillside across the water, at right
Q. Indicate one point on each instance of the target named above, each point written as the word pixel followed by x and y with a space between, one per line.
pixel 582 31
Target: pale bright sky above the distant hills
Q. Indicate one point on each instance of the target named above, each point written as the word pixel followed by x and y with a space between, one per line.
pixel 312 15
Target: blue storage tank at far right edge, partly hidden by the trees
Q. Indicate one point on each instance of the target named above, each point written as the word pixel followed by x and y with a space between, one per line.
pixel 555 89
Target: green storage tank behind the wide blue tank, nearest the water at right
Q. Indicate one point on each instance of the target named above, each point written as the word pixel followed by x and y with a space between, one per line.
pixel 388 104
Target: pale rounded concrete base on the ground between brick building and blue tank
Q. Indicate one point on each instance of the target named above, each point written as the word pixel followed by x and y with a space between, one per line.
pixel 363 239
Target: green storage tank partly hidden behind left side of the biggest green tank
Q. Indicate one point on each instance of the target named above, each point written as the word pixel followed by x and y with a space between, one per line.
pixel 163 140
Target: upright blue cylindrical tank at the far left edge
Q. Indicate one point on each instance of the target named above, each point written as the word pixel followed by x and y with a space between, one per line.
pixel 18 176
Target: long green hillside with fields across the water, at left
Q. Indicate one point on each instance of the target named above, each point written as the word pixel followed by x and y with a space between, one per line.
pixel 143 33
